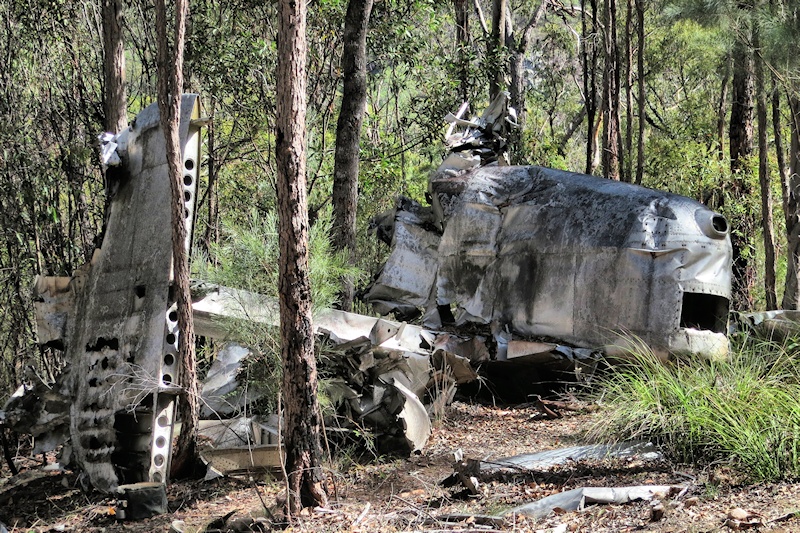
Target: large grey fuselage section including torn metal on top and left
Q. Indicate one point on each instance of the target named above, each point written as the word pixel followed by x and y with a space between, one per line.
pixel 534 253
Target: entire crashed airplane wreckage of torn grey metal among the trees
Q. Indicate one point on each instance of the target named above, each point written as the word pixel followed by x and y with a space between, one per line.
pixel 550 267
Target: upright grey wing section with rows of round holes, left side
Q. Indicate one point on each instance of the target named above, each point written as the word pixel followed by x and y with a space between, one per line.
pixel 122 339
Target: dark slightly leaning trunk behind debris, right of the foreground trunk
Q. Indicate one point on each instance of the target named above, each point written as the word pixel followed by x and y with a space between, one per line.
pixel 348 136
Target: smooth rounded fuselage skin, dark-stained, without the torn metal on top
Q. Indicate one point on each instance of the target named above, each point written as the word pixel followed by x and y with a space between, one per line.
pixel 578 258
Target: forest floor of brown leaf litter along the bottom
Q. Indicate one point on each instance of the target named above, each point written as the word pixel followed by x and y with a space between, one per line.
pixel 407 494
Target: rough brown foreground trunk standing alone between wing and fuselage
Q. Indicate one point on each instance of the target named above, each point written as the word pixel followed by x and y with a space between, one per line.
pixel 302 417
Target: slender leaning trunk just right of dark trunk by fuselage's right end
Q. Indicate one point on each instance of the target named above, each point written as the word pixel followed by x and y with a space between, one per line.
pixel 764 180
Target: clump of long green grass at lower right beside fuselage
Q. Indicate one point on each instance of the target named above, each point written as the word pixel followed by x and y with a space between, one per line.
pixel 744 410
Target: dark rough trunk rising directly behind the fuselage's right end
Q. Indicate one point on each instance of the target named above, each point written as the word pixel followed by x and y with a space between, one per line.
pixel 741 147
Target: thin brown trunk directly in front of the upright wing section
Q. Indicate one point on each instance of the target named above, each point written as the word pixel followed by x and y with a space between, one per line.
pixel 170 87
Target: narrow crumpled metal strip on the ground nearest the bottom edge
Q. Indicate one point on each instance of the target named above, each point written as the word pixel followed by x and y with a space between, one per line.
pixel 578 499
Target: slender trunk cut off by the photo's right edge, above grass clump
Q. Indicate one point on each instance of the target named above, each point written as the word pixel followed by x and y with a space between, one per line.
pixel 791 294
